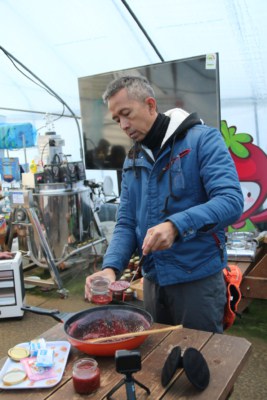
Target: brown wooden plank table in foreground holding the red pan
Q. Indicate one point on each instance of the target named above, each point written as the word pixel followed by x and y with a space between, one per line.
pixel 225 355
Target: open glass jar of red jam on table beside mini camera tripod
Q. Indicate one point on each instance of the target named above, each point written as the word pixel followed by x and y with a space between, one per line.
pixel 85 376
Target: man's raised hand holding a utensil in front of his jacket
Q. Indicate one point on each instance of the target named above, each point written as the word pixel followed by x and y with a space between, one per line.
pixel 160 237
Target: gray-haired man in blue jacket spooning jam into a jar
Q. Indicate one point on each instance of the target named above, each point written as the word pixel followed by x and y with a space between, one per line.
pixel 179 191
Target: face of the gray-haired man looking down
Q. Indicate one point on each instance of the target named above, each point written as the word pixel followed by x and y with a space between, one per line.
pixel 134 117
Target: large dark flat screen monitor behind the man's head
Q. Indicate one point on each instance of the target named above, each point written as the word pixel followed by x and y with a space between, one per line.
pixel 191 84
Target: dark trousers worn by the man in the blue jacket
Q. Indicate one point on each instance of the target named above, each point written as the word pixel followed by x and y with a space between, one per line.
pixel 196 305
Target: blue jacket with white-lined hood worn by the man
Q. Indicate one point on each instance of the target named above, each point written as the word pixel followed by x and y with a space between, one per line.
pixel 193 175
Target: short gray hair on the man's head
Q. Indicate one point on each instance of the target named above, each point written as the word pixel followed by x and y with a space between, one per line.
pixel 137 87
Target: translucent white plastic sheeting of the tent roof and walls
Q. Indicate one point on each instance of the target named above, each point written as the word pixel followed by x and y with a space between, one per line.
pixel 61 40
